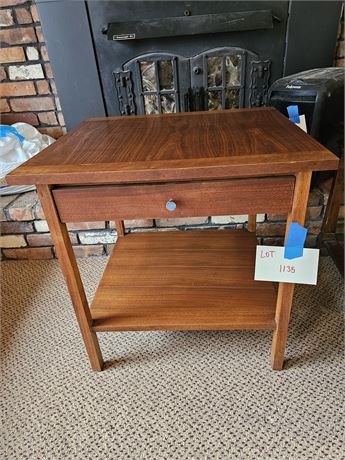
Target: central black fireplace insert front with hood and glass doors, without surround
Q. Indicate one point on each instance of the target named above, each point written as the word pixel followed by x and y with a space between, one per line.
pixel 161 57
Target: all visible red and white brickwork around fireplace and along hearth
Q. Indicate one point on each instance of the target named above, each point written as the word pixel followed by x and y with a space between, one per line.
pixel 29 95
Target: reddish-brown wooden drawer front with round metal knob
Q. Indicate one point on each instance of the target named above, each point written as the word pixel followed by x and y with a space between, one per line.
pixel 240 196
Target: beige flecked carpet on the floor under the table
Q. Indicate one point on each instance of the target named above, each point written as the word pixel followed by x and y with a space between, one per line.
pixel 167 395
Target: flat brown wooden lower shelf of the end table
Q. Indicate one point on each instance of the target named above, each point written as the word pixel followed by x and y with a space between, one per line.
pixel 183 281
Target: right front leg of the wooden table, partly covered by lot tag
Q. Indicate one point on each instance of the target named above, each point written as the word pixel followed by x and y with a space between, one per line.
pixel 285 290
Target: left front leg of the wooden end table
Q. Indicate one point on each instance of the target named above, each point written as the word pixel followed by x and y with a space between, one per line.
pixel 71 273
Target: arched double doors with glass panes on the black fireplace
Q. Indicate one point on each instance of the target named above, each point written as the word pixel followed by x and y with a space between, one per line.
pixel 155 83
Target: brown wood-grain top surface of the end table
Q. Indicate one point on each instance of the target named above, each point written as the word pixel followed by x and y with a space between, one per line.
pixel 175 147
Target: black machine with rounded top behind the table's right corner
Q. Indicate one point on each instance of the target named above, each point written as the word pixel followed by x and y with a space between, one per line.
pixel 319 95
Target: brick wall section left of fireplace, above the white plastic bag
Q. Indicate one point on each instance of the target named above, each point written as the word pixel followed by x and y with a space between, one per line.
pixel 27 86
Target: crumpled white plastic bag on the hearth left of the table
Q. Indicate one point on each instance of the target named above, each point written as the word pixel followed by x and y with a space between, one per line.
pixel 14 152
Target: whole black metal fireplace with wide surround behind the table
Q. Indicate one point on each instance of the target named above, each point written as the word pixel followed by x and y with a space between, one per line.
pixel 134 58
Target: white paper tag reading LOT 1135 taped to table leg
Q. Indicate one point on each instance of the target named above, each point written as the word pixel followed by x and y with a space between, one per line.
pixel 270 265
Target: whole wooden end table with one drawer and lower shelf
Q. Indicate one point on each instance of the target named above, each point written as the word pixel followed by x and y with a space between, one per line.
pixel 244 161
